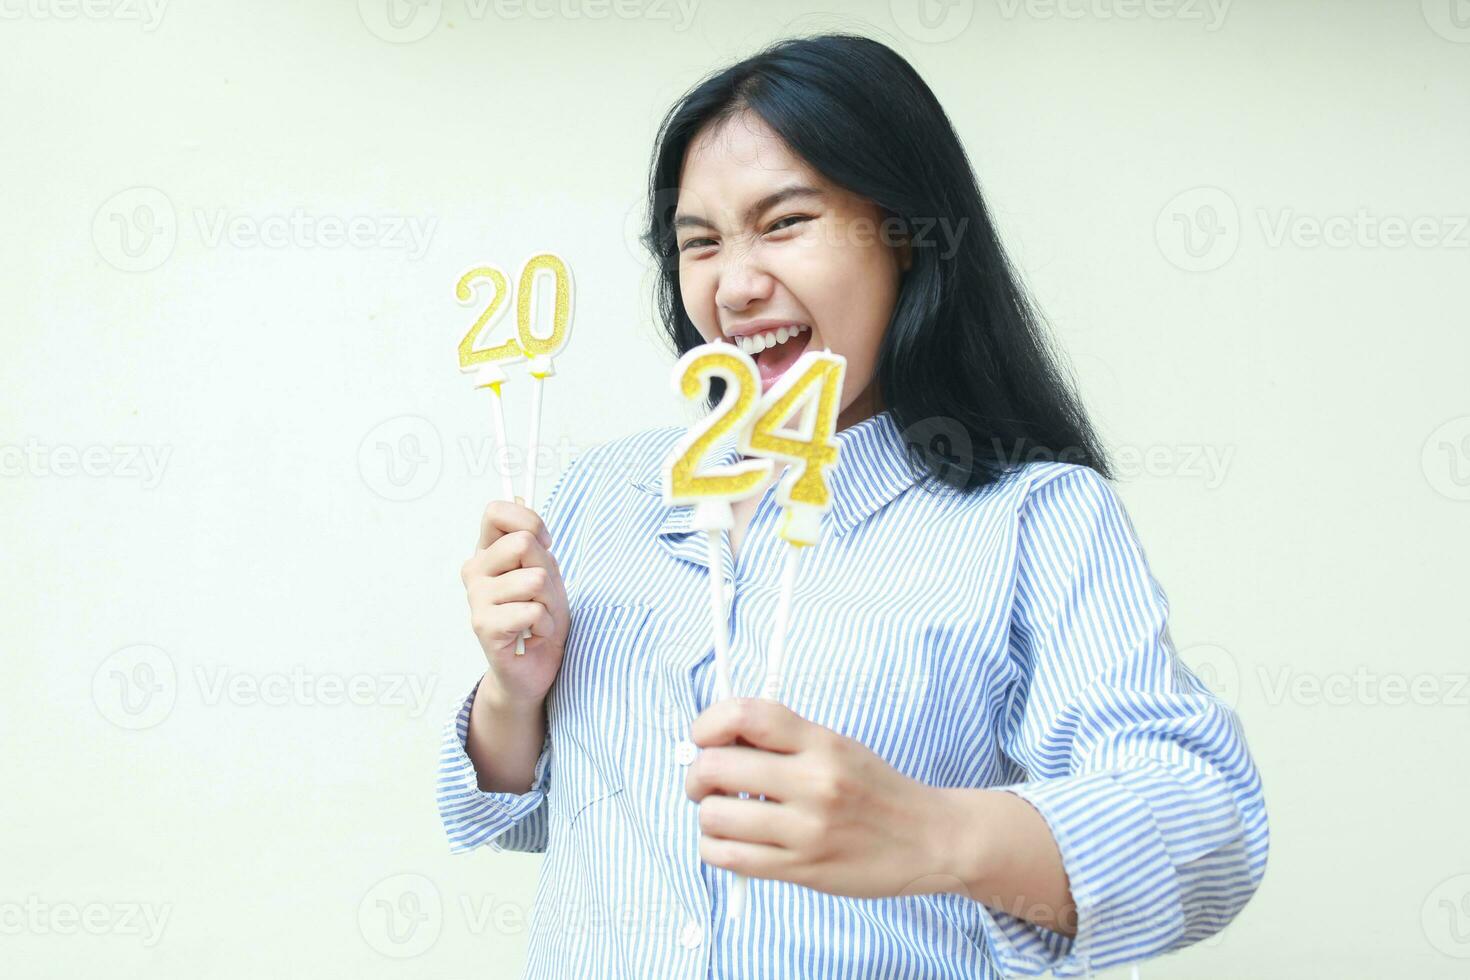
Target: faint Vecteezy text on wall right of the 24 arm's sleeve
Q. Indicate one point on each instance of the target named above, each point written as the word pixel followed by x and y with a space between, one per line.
pixel 1365 687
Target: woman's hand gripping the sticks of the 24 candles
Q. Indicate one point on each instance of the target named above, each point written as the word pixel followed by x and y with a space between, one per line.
pixel 837 818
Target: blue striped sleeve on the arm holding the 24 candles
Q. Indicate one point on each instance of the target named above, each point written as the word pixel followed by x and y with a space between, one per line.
pixel 1141 774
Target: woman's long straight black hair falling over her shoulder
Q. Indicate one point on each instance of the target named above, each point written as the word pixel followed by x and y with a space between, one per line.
pixel 964 367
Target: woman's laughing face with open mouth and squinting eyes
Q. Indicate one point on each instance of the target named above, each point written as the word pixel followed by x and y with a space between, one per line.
pixel 765 242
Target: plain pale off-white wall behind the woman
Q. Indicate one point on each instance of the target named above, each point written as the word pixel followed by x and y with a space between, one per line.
pixel 1247 227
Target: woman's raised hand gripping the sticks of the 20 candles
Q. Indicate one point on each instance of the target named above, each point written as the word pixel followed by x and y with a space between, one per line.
pixel 514 584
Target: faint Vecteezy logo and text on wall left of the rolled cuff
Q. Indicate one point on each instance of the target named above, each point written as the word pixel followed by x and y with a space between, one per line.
pixel 139 687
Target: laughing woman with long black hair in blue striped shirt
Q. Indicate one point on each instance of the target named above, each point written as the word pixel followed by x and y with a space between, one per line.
pixel 987 756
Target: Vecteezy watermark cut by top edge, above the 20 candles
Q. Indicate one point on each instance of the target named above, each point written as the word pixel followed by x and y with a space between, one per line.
pixel 408 21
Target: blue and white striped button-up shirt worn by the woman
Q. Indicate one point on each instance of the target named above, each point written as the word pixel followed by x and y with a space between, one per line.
pixel 1011 638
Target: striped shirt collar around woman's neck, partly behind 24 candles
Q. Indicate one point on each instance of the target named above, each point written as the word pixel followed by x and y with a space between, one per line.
pixel 872 469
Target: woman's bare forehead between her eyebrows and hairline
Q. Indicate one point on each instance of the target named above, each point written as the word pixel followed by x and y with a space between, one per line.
pixel 736 161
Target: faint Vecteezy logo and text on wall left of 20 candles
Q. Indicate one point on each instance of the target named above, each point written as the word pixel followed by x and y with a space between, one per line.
pixel 137 230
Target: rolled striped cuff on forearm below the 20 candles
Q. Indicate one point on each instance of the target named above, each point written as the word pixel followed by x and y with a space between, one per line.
pixel 474 818
